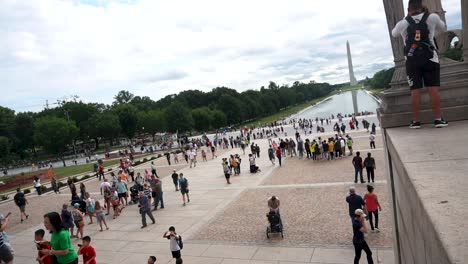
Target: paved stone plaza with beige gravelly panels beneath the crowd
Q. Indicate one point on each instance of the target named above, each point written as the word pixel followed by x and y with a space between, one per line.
pixel 226 223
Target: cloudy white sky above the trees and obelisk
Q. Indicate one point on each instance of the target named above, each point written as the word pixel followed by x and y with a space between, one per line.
pixel 52 49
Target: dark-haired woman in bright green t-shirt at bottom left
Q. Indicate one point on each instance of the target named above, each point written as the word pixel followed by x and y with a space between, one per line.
pixel 62 247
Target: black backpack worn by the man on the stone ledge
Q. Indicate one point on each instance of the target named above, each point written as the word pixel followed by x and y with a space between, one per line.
pixel 418 46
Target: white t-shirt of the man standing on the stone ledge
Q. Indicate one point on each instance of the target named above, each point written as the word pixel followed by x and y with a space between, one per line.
pixel 434 24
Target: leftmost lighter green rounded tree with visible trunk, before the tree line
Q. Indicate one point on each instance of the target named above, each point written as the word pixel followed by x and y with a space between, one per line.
pixel 55 134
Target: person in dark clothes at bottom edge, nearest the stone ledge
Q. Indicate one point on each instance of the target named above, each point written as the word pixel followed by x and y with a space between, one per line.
pixel 359 242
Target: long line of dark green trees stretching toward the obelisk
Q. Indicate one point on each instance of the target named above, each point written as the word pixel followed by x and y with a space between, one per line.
pixel 53 130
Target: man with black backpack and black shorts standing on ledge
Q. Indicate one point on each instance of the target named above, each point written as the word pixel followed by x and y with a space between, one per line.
pixel 422 62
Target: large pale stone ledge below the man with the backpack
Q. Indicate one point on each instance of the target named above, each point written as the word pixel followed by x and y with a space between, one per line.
pixel 429 172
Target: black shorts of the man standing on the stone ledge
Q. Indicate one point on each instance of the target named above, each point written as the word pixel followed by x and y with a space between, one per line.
pixel 422 74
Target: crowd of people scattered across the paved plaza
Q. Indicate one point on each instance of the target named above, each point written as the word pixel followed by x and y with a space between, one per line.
pixel 122 188
